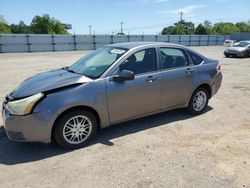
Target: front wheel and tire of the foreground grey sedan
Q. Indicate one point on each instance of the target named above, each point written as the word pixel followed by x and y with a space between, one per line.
pixel 75 129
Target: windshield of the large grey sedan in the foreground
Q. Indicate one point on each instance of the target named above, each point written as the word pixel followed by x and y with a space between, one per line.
pixel 96 63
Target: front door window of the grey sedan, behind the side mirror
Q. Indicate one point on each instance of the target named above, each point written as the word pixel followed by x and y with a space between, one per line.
pixel 141 62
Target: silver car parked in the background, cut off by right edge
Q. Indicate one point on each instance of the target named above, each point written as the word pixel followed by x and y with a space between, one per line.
pixel 239 49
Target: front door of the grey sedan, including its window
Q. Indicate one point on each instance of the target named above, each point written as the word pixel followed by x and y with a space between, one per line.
pixel 136 97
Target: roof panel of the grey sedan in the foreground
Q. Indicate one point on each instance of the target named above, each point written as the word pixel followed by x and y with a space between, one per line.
pixel 130 45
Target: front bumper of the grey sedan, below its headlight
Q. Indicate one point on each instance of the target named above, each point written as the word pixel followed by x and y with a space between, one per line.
pixel 34 127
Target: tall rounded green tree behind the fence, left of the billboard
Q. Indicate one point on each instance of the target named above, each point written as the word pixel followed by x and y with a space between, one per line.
pixel 46 25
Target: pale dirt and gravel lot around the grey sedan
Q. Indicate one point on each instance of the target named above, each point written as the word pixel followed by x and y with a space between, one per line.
pixel 171 149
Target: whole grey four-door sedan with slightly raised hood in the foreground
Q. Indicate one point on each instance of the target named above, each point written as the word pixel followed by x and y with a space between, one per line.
pixel 113 84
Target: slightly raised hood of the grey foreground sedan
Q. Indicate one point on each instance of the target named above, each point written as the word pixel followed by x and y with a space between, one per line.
pixel 47 81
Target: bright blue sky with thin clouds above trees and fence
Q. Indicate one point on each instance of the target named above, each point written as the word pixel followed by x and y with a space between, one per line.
pixel 138 16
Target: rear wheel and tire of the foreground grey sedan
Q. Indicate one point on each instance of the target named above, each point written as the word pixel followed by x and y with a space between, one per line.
pixel 193 107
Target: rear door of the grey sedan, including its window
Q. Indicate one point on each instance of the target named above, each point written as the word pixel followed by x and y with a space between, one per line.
pixel 178 77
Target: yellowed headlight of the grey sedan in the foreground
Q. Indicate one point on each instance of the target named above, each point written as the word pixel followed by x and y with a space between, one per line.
pixel 23 106
